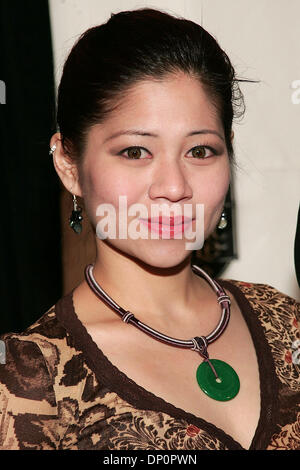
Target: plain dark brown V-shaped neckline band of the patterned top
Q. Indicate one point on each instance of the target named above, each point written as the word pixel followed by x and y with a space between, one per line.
pixel 126 388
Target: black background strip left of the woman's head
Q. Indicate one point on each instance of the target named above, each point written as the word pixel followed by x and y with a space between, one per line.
pixel 30 234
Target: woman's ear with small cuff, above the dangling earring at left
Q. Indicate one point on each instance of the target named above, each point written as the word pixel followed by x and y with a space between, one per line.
pixel 65 167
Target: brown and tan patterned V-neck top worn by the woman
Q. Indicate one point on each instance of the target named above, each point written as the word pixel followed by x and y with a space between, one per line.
pixel 59 391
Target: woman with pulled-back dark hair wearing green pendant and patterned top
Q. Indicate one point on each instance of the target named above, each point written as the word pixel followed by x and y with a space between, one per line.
pixel 145 110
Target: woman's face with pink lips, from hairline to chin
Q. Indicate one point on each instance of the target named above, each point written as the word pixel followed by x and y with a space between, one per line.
pixel 180 124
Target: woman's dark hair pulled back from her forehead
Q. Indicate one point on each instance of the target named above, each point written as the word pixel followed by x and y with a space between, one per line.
pixel 136 45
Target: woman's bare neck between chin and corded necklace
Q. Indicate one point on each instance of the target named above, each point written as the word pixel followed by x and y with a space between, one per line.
pixel 159 294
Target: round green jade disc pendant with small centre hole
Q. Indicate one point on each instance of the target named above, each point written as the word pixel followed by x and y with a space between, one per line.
pixel 225 390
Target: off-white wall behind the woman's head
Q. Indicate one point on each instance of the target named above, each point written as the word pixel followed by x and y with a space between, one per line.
pixel 262 39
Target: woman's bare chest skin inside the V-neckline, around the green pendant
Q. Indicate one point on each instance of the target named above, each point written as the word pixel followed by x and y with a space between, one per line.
pixel 170 372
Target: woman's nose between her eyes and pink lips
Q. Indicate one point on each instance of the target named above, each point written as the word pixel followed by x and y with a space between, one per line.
pixel 170 182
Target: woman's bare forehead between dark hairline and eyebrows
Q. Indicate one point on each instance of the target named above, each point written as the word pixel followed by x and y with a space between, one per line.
pixel 178 101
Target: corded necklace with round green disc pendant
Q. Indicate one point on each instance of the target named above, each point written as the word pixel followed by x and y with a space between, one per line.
pixel 216 378
